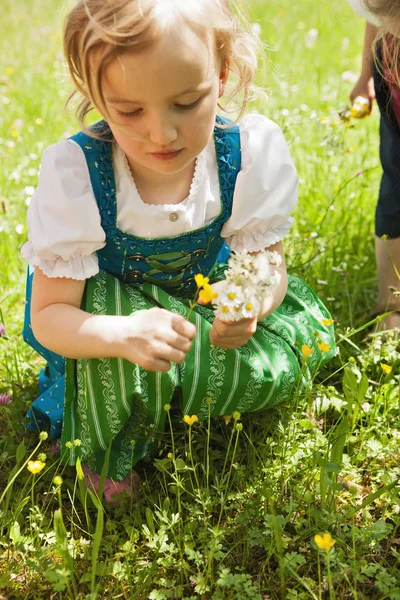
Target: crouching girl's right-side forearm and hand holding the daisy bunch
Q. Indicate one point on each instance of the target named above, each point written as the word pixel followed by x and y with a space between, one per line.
pixel 234 334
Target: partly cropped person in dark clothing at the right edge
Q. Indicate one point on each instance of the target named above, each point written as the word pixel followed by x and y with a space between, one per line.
pixel 381 77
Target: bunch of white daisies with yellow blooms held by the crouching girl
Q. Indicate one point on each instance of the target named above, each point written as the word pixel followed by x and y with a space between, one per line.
pixel 248 281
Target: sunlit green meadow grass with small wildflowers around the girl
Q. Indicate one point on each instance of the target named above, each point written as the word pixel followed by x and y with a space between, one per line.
pixel 229 510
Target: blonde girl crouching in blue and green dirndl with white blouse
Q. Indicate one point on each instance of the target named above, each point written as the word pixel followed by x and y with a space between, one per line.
pixel 127 212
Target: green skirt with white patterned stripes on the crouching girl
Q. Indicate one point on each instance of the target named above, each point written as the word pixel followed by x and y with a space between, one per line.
pixel 116 406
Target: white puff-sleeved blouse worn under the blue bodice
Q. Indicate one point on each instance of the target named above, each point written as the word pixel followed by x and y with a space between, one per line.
pixel 64 226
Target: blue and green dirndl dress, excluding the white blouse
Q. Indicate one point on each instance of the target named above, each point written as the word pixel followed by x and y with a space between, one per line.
pixel 113 406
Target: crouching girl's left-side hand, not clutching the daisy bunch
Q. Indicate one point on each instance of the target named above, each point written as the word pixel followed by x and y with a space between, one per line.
pixel 155 338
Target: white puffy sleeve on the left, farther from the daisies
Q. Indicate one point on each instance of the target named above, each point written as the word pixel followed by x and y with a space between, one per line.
pixel 64 227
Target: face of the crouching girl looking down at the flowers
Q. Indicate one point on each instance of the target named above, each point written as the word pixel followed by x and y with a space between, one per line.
pixel 162 101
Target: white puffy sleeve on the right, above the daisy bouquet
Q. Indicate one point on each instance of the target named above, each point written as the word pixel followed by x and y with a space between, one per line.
pixel 266 188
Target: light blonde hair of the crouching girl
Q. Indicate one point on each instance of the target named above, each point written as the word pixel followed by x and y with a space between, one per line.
pixel 105 29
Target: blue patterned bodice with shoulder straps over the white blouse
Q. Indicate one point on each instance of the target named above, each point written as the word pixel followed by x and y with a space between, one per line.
pixel 171 262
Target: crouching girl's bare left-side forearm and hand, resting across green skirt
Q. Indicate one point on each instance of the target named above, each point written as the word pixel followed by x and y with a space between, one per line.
pixel 151 341
